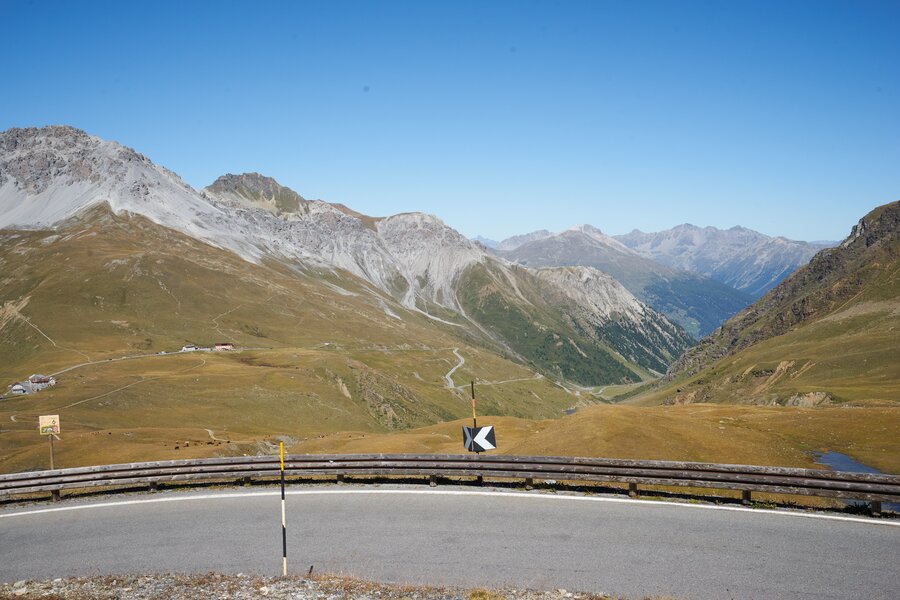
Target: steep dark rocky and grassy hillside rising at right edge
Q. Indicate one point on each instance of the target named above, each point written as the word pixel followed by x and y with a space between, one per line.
pixel 828 334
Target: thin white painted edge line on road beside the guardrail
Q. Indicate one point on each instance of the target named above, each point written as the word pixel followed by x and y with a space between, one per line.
pixel 518 495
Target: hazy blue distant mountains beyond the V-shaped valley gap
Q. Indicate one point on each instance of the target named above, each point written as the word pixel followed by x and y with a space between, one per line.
pixel 698 277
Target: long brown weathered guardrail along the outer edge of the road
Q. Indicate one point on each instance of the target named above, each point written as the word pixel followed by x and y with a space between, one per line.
pixel 748 479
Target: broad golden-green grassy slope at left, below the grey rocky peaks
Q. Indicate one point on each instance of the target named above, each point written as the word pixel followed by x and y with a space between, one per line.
pixel 322 352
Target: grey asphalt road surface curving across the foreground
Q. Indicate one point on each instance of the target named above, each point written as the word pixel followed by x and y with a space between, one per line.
pixel 461 537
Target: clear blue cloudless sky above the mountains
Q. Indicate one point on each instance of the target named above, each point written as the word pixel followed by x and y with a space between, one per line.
pixel 498 117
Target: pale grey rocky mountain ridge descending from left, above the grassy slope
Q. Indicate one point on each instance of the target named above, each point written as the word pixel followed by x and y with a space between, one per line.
pixel 403 265
